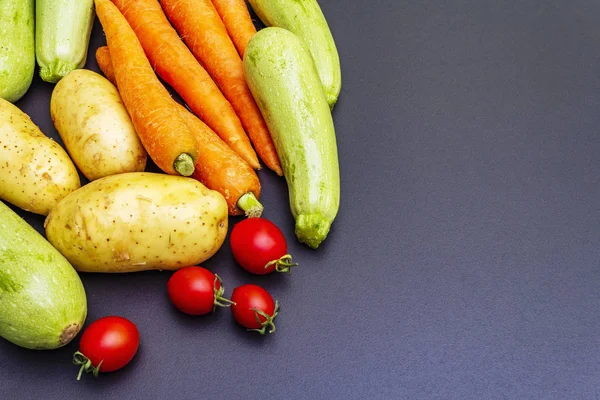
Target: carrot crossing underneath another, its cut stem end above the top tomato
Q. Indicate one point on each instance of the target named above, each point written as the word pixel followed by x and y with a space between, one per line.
pixel 218 166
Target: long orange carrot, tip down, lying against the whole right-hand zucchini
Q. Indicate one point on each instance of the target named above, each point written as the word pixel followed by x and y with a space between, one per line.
pixel 202 30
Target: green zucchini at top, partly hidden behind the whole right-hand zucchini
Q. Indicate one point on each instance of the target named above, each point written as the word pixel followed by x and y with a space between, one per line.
pixel 305 18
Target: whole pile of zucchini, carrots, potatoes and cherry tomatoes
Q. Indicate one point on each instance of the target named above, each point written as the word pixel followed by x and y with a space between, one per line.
pixel 253 97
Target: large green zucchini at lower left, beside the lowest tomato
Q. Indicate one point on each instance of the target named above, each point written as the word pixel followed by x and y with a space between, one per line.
pixel 42 299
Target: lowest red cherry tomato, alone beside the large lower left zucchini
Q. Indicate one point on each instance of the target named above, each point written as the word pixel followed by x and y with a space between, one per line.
pixel 106 345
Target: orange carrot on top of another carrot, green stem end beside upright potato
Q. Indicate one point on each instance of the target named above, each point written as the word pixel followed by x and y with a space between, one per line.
pixel 162 131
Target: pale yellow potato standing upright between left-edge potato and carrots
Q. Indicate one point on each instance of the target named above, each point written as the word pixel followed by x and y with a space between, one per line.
pixel 94 125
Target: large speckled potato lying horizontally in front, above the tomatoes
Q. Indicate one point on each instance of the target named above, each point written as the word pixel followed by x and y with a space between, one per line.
pixel 138 221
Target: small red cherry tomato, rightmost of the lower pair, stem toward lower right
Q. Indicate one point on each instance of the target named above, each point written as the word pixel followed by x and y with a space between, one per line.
pixel 254 308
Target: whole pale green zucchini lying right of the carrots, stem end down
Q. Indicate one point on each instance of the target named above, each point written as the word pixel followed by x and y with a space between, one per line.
pixel 284 82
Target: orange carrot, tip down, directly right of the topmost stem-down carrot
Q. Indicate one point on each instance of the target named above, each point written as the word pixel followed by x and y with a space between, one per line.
pixel 174 63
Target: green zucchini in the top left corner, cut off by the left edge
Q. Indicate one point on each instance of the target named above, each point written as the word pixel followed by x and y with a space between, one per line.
pixel 17 48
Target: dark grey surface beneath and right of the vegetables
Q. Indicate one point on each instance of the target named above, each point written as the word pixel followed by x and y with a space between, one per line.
pixel 464 263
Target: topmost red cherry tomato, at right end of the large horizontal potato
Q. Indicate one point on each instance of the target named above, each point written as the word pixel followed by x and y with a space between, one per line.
pixel 259 246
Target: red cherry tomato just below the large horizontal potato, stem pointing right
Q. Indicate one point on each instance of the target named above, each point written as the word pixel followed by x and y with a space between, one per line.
pixel 196 291
